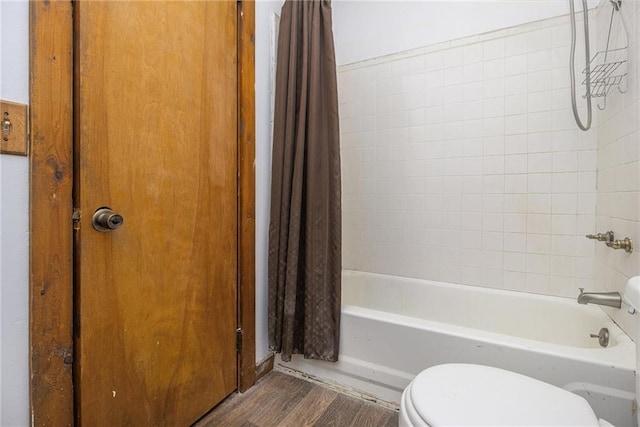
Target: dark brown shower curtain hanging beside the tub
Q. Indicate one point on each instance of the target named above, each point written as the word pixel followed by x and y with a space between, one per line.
pixel 305 230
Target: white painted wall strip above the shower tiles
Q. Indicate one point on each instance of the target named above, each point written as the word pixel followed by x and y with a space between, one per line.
pixel 368 29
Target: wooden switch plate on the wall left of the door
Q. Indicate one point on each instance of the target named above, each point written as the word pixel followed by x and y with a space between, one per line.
pixel 13 128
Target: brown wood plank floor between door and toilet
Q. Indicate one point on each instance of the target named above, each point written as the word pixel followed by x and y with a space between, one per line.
pixel 283 400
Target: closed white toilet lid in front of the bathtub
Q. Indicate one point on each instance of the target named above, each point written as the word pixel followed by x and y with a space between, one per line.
pixel 462 394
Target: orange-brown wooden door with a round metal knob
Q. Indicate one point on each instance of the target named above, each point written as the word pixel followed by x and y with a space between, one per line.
pixel 156 141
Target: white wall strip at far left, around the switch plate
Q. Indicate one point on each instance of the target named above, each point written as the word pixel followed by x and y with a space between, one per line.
pixel 14 227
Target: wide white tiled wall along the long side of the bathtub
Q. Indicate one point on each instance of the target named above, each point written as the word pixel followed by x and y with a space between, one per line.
pixel 462 163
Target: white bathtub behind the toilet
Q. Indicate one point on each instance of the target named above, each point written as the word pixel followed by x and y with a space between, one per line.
pixel 394 327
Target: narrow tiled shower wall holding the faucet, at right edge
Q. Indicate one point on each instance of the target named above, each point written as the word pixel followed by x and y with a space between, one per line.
pixel 618 201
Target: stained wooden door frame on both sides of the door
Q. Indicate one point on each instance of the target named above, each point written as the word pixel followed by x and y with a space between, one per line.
pixel 51 328
